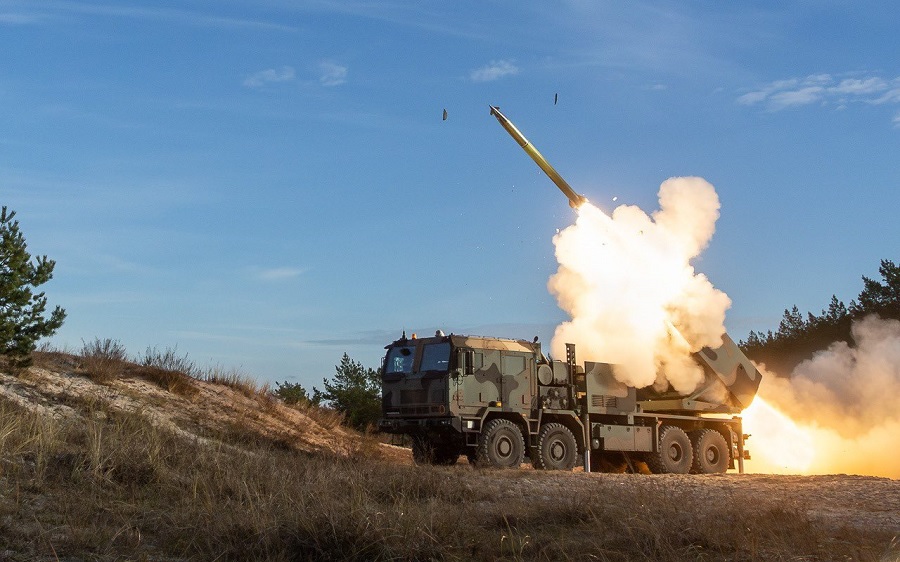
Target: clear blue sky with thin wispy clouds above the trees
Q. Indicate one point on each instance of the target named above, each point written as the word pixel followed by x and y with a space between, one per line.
pixel 267 185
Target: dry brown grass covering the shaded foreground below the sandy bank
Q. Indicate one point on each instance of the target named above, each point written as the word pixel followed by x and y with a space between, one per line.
pixel 111 486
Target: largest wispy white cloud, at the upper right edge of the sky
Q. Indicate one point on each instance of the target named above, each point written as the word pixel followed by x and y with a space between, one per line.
pixel 825 90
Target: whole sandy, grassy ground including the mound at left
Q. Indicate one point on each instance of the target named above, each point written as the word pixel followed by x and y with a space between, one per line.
pixel 131 470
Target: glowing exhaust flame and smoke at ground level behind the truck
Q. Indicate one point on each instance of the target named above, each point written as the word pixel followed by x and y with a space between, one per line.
pixel 844 400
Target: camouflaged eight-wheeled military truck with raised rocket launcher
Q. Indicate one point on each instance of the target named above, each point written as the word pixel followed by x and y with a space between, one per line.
pixel 499 401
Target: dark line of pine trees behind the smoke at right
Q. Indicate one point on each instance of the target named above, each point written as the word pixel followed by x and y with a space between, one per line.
pixel 799 336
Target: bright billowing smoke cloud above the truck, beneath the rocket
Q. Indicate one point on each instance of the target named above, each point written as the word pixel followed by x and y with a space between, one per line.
pixel 633 297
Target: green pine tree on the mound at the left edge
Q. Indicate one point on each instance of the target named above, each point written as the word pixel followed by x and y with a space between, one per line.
pixel 22 321
